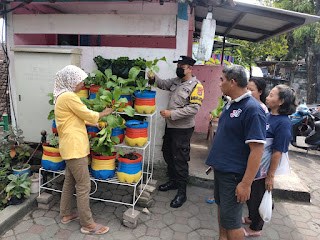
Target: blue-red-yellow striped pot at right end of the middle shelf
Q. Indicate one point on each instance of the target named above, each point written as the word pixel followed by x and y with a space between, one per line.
pixel 136 133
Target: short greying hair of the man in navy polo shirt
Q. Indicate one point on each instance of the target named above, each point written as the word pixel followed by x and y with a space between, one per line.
pixel 238 73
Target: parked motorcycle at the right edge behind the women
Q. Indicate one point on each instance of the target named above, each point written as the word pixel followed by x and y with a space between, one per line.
pixel 306 124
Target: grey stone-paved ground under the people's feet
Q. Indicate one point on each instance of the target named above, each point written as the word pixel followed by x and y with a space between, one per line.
pixel 195 220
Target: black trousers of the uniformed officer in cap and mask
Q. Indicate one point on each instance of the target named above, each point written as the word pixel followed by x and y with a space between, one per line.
pixel 176 153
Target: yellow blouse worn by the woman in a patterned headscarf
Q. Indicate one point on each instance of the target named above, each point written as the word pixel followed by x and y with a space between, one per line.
pixel 71 115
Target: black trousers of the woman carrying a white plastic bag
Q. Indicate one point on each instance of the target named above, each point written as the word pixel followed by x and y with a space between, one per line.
pixel 257 190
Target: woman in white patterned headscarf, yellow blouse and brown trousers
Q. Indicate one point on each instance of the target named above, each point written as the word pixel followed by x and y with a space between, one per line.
pixel 71 115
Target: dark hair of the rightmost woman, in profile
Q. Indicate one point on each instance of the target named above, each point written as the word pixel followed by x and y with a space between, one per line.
pixel 288 94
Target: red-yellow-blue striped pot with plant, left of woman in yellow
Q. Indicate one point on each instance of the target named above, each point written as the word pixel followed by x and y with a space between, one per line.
pixel 51 158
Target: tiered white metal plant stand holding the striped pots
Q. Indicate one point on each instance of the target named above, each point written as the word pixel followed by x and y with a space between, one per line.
pixel 146 171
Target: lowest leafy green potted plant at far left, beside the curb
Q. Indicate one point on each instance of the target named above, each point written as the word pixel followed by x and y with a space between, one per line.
pixel 18 189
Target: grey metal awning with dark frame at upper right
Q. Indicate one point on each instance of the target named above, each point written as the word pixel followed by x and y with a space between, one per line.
pixel 250 22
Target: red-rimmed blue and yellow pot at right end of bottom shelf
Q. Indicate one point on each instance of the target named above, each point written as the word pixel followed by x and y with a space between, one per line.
pixel 129 168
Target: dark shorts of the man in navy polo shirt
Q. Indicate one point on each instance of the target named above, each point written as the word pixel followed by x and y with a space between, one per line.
pixel 225 195
